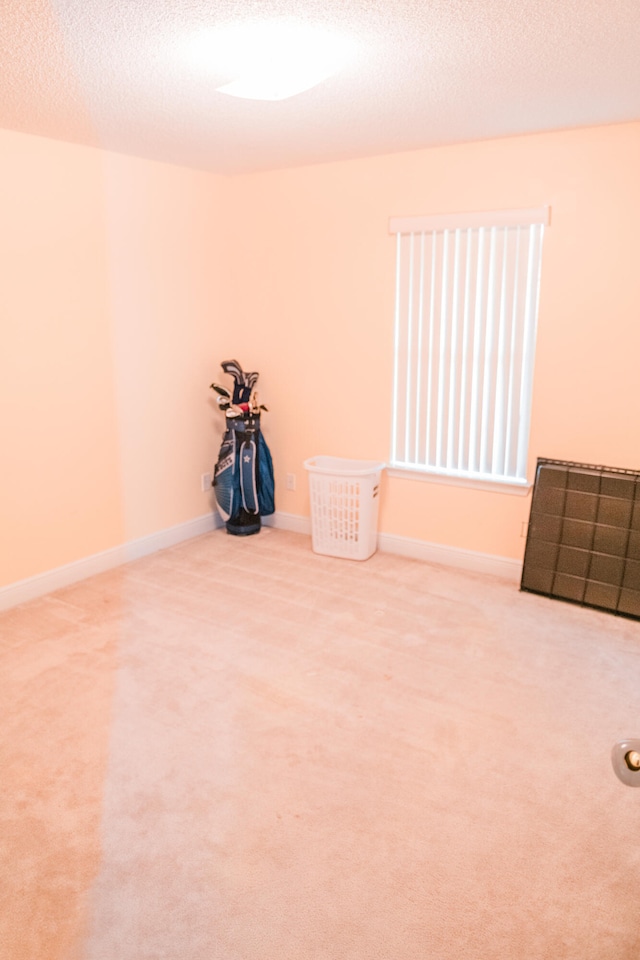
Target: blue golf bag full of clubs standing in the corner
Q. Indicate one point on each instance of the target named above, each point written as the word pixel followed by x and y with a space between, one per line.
pixel 243 477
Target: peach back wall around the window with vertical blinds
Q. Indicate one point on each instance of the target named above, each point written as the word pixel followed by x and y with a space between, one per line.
pixel 313 283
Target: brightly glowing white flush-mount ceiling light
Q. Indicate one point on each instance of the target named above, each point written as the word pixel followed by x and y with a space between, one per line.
pixel 272 59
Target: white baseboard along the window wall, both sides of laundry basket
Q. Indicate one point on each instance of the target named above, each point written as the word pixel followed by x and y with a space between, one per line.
pixel 504 567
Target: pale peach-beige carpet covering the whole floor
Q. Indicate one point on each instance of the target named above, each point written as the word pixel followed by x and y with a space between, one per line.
pixel 236 749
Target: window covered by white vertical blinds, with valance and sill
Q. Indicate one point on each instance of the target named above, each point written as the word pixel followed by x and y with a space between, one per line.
pixel 466 313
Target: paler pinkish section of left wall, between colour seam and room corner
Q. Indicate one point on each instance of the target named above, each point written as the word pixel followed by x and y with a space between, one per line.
pixel 168 306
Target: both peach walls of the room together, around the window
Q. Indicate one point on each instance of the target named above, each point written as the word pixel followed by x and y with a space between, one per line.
pixel 126 282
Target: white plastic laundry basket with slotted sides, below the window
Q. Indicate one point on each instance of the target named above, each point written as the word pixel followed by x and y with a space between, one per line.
pixel 344 506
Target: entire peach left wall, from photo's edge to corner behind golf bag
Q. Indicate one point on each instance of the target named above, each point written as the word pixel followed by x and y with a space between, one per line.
pixel 109 305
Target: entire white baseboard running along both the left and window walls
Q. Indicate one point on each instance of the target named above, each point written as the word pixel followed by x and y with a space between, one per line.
pixel 38 586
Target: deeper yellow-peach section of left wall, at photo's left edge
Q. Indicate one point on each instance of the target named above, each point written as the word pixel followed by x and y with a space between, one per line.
pixel 59 491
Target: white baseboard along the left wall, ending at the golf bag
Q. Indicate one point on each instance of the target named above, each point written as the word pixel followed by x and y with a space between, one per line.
pixel 23 590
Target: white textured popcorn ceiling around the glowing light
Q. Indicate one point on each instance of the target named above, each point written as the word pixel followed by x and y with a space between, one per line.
pixel 115 73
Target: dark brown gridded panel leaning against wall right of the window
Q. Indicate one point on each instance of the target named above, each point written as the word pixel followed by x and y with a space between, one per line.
pixel 583 542
